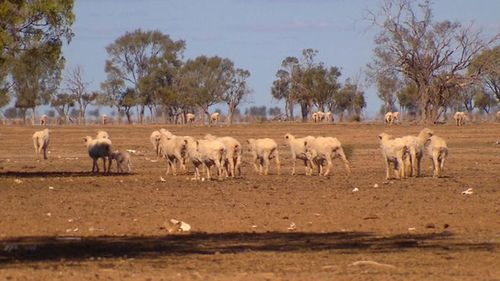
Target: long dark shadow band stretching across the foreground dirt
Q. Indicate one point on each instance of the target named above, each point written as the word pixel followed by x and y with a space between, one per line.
pixel 27 249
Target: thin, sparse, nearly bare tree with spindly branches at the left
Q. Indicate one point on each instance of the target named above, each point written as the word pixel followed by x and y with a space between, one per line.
pixel 79 92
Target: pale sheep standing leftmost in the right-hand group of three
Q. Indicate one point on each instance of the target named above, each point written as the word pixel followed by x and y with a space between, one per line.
pixel 394 151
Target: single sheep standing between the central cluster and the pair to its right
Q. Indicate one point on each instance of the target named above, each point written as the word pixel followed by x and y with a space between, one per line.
pixel 264 150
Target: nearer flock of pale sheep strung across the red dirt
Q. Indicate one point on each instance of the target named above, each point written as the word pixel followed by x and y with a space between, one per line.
pixel 225 153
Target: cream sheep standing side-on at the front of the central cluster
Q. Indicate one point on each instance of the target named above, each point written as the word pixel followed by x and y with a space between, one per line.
pixel 207 153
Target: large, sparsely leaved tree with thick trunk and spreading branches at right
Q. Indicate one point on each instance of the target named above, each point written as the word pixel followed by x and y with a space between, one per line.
pixel 434 55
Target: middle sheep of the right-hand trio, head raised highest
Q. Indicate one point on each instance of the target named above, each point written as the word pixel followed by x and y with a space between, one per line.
pixel 415 145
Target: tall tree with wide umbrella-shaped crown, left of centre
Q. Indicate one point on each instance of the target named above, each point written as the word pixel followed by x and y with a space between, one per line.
pixel 133 56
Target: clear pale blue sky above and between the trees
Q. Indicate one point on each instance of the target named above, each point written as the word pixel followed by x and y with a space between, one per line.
pixel 256 34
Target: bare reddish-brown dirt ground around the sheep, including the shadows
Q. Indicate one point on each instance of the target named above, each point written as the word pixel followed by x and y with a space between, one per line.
pixel 58 221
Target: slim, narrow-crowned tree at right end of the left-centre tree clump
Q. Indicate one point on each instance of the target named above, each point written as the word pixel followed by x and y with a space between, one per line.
pixel 236 91
